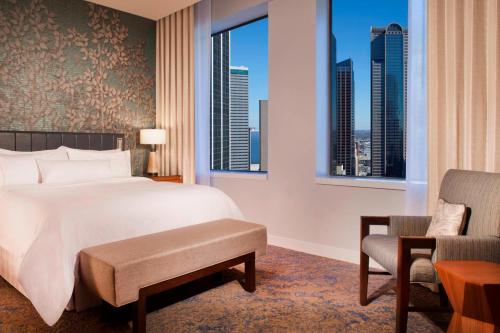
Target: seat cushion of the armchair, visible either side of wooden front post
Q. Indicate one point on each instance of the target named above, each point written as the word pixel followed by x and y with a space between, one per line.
pixel 384 250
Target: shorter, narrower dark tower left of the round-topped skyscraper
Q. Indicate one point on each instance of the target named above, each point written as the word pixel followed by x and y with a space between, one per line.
pixel 344 115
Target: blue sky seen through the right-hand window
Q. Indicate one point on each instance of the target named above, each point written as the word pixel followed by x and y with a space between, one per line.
pixel 351 22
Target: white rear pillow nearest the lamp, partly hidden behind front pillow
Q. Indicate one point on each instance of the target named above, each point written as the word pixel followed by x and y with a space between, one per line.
pixel 120 160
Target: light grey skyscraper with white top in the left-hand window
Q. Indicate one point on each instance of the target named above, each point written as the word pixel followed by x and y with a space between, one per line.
pixel 239 136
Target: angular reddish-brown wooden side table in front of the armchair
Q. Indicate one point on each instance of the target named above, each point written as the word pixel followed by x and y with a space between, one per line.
pixel 473 288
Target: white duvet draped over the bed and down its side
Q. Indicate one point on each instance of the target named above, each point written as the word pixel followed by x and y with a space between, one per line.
pixel 47 225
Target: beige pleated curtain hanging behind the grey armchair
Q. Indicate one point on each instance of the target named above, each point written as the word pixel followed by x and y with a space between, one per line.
pixel 463 88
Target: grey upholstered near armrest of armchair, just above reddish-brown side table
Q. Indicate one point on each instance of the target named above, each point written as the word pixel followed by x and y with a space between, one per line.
pixel 482 248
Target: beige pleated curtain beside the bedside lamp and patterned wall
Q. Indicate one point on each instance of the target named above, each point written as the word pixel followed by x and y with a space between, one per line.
pixel 175 93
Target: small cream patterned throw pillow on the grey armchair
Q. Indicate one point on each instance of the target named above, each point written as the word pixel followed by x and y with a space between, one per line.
pixel 448 220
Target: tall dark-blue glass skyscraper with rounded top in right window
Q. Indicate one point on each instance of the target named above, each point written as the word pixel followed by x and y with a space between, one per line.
pixel 389 54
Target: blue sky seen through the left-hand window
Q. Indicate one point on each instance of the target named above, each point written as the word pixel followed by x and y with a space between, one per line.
pixel 249 47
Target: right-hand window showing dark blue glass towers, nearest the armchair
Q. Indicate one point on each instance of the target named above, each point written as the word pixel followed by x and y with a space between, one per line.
pixel 368 80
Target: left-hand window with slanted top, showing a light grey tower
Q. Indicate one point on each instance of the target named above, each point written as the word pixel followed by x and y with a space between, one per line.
pixel 239 98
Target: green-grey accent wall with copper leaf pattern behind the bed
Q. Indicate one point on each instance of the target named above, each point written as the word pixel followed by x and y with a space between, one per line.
pixel 69 65
